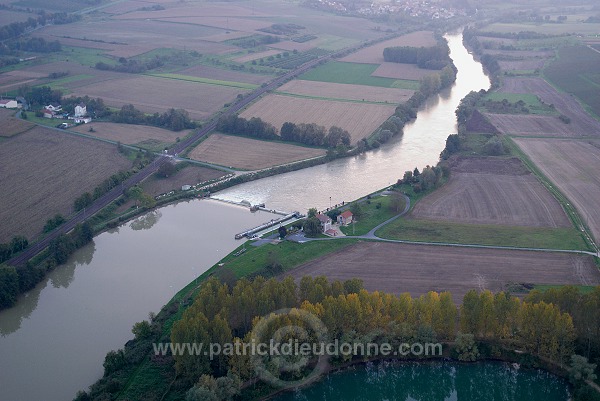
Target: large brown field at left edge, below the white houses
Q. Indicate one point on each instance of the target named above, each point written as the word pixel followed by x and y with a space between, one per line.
pixel 44 171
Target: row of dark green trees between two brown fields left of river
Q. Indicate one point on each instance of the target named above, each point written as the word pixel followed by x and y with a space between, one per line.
pixel 307 134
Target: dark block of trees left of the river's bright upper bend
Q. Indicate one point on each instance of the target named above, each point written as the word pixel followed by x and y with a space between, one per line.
pixel 430 58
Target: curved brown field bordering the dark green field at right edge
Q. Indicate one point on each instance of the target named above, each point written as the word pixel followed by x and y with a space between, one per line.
pixel 581 122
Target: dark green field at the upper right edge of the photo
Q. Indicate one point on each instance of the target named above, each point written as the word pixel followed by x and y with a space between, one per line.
pixel 575 71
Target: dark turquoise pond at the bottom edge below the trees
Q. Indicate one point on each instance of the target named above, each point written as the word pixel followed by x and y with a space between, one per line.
pixel 435 381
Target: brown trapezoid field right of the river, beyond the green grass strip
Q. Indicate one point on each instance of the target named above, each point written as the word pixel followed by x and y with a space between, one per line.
pixel 492 191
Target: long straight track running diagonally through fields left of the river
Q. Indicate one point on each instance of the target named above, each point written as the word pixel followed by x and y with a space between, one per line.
pixel 112 195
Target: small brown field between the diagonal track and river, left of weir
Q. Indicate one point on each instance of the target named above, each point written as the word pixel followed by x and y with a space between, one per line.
pixel 190 175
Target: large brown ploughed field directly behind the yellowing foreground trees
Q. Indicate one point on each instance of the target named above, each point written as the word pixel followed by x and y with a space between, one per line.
pixel 417 269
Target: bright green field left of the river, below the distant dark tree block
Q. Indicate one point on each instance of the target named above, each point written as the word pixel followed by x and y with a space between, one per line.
pixel 348 73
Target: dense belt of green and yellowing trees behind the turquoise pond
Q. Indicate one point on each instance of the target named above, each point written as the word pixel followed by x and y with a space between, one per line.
pixel 550 326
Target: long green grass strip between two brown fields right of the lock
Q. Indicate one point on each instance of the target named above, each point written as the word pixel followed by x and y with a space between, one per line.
pixel 480 234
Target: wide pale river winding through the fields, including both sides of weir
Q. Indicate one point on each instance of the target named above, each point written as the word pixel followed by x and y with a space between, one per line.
pixel 53 342
